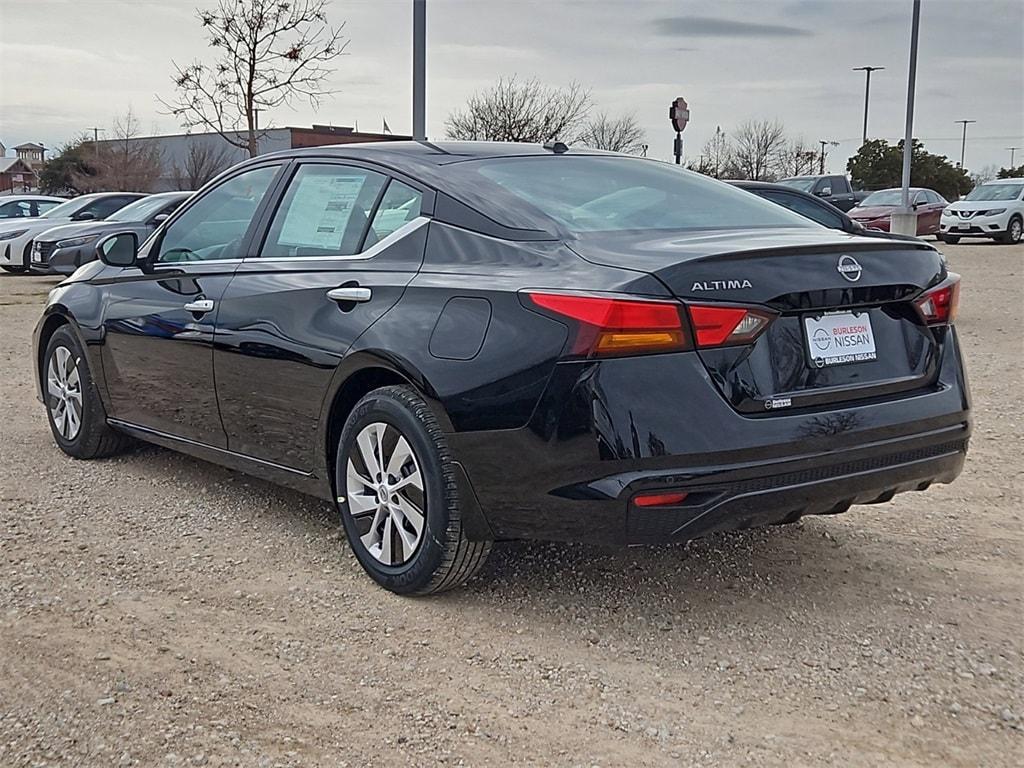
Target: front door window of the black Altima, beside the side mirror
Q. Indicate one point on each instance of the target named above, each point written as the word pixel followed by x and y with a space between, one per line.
pixel 216 227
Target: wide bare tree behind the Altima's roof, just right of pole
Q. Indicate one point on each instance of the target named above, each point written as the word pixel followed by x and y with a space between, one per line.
pixel 522 111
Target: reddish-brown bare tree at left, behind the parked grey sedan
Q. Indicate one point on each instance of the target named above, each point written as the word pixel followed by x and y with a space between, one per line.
pixel 125 163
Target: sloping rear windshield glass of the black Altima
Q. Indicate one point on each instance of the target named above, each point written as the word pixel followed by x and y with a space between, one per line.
pixel 587 194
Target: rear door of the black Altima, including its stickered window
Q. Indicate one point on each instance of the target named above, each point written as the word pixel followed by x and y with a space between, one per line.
pixel 339 250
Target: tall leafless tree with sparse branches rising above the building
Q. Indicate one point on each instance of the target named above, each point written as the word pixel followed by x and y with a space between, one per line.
pixel 271 53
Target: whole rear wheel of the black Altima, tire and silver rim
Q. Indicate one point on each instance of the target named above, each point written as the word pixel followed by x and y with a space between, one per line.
pixel 399 496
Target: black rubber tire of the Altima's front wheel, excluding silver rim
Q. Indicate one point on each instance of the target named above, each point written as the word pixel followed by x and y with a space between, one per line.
pixel 94 439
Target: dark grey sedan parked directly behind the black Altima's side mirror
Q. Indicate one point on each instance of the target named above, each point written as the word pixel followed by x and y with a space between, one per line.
pixel 64 249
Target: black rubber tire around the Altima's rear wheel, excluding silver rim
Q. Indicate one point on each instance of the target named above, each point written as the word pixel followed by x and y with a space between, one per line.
pixel 444 558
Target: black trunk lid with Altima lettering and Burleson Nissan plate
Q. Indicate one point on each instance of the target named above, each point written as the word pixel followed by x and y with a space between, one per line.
pixel 809 279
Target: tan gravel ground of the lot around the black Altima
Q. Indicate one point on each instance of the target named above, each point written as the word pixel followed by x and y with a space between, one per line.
pixel 159 611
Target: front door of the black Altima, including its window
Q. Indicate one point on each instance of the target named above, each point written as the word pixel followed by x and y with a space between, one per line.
pixel 159 319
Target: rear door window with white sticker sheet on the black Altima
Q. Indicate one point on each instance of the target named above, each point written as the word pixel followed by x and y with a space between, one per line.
pixel 324 214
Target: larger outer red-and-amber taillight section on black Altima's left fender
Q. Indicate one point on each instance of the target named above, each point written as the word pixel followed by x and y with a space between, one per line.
pixel 613 327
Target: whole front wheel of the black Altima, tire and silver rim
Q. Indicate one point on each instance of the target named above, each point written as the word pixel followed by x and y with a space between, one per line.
pixel 73 406
